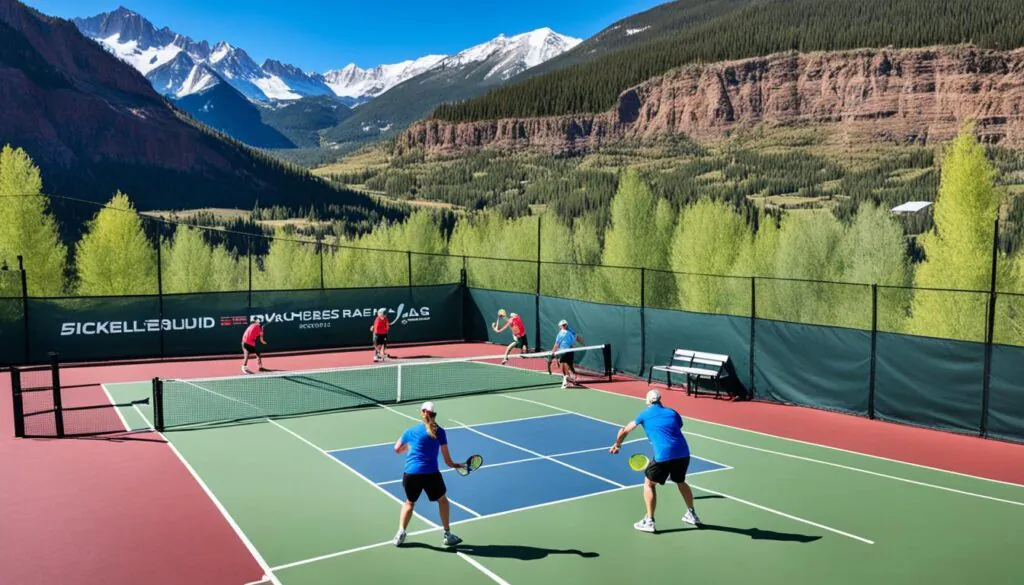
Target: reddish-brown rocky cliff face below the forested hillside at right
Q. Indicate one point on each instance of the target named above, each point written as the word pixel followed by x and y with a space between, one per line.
pixel 905 97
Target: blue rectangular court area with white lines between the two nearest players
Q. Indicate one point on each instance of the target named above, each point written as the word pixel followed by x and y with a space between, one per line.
pixel 528 464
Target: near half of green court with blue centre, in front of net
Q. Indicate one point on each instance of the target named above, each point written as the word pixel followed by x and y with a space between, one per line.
pixel 776 511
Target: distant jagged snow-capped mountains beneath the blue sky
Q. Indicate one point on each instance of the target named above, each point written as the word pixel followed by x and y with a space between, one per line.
pixel 181 68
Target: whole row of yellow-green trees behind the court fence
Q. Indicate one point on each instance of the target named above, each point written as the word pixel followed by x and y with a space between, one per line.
pixel 698 256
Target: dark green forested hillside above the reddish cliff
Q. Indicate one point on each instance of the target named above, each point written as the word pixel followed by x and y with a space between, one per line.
pixel 760 28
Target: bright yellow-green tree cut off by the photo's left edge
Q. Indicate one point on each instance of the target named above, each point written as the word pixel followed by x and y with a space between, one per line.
pixel 27 229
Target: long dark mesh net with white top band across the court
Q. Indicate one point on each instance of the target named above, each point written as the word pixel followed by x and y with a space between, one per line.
pixel 185 403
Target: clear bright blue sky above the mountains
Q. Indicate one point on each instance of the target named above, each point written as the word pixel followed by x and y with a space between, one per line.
pixel 318 35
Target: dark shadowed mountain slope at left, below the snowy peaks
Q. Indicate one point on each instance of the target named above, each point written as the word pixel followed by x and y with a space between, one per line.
pixel 95 127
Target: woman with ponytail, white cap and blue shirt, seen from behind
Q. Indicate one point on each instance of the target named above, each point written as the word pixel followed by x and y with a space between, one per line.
pixel 421 445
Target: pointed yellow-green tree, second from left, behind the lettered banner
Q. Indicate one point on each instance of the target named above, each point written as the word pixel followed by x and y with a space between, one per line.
pixel 115 258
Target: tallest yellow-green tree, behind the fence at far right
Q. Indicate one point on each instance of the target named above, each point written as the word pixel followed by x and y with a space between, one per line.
pixel 958 253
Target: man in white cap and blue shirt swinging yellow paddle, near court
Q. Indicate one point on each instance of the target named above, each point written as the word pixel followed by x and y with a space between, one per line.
pixel 672 457
